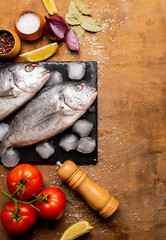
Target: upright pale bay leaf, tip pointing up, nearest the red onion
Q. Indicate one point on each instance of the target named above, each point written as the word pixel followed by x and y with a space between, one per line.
pixel 73 16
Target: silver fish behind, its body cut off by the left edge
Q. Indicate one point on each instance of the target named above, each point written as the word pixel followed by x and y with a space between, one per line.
pixel 18 84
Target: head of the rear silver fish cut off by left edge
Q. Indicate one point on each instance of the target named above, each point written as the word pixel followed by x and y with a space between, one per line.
pixel 29 77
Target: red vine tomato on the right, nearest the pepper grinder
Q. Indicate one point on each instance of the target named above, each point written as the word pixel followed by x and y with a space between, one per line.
pixel 54 206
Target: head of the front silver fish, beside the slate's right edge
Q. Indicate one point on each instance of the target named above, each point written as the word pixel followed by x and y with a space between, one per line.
pixel 79 97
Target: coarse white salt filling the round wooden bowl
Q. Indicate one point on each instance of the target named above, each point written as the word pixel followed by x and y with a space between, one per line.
pixel 28 23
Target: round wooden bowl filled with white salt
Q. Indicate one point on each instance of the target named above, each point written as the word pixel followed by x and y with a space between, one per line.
pixel 29 25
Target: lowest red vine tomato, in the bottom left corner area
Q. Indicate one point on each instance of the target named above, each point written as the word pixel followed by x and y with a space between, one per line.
pixel 25 218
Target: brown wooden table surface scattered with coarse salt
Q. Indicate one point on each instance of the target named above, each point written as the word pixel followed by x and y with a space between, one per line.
pixel 130 52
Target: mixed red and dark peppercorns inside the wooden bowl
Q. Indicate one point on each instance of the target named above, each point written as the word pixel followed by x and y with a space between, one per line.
pixel 6 42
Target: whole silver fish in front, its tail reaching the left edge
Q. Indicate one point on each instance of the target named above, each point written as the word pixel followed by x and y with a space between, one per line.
pixel 51 111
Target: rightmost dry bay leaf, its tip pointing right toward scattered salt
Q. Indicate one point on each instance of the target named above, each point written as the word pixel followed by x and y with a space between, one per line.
pixel 90 24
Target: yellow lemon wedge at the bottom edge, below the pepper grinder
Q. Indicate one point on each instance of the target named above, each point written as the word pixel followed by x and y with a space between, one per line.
pixel 76 230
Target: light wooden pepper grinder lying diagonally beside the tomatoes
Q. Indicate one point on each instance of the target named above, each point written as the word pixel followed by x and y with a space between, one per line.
pixel 99 199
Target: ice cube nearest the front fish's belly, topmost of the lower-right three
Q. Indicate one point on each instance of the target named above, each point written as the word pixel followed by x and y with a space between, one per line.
pixel 82 127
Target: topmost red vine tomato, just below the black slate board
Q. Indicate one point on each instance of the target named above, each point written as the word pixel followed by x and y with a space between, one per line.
pixel 26 177
